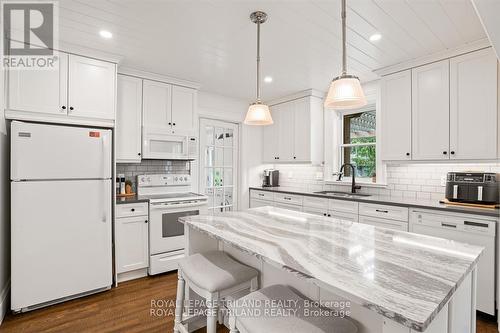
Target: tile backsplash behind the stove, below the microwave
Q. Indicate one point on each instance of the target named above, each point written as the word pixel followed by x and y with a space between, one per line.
pixel 148 167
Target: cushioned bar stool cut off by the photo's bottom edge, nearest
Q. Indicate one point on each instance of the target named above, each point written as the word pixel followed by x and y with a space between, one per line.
pixel 243 320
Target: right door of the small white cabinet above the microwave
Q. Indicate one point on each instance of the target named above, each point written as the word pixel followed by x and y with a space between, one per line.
pixel 183 108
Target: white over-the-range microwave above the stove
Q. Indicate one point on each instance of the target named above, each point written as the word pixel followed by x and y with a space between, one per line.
pixel 157 145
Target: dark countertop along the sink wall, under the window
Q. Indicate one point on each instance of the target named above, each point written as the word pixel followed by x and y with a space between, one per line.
pixel 396 201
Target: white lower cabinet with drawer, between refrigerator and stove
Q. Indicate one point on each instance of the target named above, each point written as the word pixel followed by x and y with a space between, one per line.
pixel 131 240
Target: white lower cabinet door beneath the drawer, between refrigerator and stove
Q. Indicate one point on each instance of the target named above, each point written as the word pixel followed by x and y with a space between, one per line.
pixel 131 243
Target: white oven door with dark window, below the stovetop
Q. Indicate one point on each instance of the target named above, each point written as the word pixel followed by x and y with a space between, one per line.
pixel 166 233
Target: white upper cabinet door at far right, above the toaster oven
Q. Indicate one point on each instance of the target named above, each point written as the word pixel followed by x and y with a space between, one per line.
pixel 473 106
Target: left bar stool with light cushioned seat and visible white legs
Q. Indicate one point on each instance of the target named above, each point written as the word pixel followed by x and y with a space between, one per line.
pixel 212 275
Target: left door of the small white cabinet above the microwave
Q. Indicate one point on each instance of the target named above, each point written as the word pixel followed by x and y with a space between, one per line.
pixel 157 111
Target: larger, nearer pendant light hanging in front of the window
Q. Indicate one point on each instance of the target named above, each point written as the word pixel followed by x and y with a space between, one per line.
pixel 345 90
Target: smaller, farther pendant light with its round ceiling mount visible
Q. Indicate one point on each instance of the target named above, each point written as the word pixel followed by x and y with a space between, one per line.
pixel 258 113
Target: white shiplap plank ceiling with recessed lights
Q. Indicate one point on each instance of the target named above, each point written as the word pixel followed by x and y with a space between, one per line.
pixel 213 41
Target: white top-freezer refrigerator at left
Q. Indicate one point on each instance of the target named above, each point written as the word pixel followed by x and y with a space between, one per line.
pixel 61 201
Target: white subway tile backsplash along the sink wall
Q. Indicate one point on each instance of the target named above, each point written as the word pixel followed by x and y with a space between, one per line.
pixel 422 181
